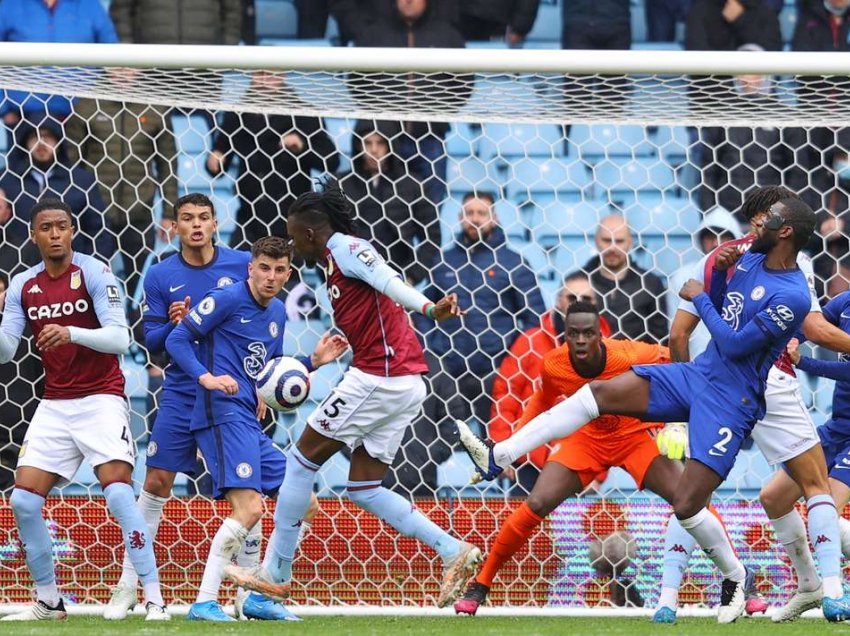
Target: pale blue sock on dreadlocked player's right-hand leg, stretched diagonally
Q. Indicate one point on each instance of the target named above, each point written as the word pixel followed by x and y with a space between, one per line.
pixel 402 515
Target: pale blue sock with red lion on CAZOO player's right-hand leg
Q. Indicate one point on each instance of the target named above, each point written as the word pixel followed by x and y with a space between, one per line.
pixel 138 540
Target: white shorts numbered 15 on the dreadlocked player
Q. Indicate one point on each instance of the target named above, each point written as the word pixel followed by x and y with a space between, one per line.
pixel 371 410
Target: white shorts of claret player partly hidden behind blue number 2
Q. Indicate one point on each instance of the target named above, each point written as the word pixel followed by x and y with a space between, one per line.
pixel 787 429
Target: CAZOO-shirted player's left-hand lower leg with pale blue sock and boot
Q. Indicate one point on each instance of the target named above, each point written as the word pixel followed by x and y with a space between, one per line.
pixel 38 548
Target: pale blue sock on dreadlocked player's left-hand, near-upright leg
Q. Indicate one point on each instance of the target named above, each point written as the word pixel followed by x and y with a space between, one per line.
pixel 293 500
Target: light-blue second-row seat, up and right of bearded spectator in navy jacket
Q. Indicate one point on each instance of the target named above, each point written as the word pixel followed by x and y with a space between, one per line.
pixel 570 180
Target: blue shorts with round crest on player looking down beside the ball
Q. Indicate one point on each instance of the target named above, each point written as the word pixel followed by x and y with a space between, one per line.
pixel 240 455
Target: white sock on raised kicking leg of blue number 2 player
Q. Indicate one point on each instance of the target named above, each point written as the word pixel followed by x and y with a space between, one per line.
pixel 561 420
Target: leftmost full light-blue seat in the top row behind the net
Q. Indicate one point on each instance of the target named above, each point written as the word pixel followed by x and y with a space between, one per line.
pixel 521 140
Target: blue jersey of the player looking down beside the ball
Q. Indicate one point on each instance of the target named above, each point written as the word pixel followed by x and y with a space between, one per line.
pixel 236 336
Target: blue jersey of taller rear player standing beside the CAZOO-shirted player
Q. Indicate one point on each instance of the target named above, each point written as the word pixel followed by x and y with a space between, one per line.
pixel 171 280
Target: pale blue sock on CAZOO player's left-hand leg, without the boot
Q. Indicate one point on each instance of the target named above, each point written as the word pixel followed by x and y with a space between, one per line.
pixel 37 543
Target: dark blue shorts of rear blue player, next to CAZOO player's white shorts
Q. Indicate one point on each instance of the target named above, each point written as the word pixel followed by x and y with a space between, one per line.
pixel 172 445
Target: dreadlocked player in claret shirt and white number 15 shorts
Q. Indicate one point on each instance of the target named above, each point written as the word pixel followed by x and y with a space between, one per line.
pixel 376 400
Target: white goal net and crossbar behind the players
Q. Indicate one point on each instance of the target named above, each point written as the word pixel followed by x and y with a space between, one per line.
pixel 555 141
